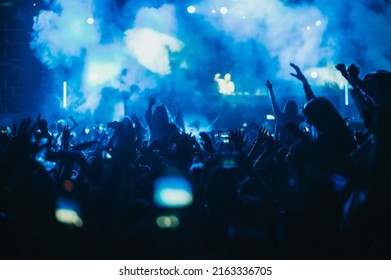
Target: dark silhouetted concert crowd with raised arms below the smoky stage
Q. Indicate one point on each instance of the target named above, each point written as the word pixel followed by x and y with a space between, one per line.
pixel 290 193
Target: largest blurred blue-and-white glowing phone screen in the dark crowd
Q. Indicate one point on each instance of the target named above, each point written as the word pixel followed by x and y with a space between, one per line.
pixel 173 192
